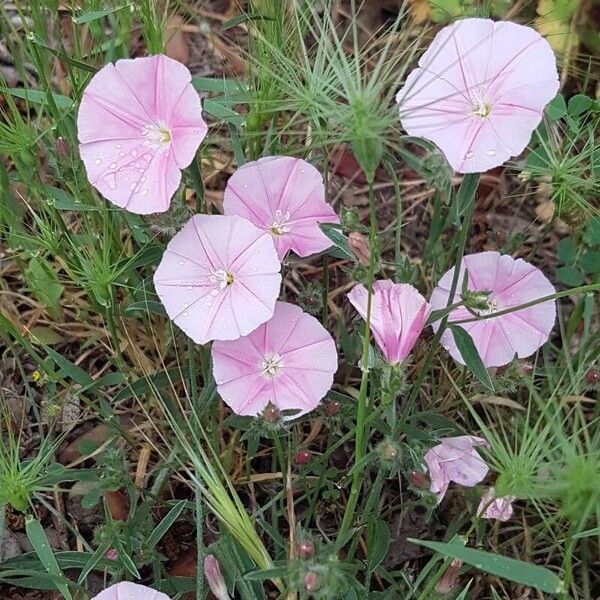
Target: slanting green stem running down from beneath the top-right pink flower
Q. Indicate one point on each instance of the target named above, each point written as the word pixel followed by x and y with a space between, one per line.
pixel 462 242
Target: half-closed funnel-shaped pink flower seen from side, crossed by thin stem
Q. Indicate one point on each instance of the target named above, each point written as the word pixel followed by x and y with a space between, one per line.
pixel 398 316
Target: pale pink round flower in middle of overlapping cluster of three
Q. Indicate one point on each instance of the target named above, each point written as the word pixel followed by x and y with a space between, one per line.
pixel 219 278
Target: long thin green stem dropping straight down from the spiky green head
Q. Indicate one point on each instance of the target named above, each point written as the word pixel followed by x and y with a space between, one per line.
pixel 361 426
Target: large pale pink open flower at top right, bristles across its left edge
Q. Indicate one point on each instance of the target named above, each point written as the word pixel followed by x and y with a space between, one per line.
pixel 479 92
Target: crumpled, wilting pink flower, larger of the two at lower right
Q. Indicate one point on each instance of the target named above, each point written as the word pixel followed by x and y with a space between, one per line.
pixel 455 459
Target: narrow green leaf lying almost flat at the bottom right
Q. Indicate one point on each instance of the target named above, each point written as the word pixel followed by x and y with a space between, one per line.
pixel 512 569
